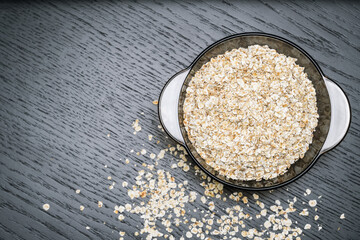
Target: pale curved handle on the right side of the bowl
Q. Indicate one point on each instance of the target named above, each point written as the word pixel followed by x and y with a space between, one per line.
pixel 340 115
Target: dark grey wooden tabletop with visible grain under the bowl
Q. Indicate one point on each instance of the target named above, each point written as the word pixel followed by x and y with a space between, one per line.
pixel 71 73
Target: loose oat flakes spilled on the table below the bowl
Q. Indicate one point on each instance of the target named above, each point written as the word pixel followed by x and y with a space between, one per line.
pixel 164 204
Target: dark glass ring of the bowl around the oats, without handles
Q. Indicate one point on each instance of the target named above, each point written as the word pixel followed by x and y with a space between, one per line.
pixel 323 104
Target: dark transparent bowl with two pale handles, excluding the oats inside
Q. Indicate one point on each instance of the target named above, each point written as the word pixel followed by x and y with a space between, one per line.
pixel 333 107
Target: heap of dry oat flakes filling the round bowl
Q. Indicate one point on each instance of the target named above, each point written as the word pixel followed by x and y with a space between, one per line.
pixel 250 113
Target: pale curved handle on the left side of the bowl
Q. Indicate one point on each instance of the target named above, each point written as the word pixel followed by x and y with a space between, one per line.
pixel 168 105
